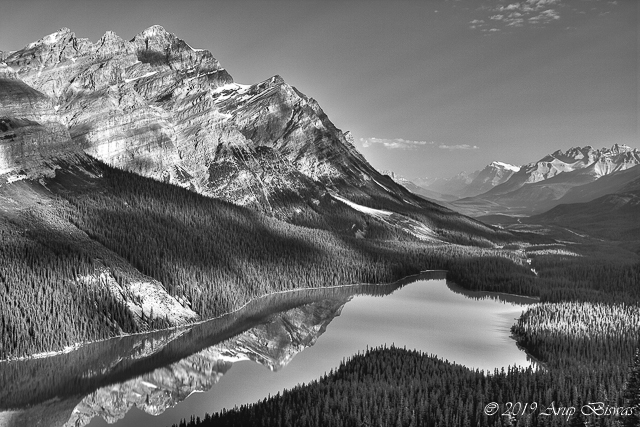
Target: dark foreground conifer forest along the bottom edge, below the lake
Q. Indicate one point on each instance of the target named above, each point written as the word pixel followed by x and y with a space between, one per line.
pixel 398 387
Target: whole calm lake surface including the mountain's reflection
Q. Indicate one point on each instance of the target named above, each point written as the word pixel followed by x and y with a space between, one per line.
pixel 274 343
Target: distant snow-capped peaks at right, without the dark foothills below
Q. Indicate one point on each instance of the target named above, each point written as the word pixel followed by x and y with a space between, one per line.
pixel 579 175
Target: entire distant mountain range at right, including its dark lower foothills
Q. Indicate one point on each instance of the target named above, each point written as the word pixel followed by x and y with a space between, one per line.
pixel 593 190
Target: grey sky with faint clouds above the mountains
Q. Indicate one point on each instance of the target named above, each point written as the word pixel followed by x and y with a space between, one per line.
pixel 428 88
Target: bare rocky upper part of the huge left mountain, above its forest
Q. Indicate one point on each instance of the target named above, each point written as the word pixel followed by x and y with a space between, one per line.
pixel 157 107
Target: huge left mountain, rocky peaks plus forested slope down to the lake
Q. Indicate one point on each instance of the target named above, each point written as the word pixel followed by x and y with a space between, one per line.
pixel 142 188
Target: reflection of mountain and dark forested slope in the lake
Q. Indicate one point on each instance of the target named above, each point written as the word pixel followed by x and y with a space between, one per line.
pixel 156 371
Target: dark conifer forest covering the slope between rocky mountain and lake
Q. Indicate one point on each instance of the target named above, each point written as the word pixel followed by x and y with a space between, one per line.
pixel 62 259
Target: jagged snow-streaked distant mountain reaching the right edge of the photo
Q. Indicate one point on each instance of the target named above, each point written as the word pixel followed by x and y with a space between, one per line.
pixel 541 185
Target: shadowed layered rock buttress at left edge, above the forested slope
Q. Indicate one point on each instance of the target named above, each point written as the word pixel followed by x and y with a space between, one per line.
pixel 30 131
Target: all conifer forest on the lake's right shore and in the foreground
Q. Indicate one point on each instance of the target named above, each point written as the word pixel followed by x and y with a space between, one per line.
pixel 583 337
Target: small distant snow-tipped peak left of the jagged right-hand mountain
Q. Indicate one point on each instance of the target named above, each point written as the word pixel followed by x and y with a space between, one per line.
pixel 471 184
